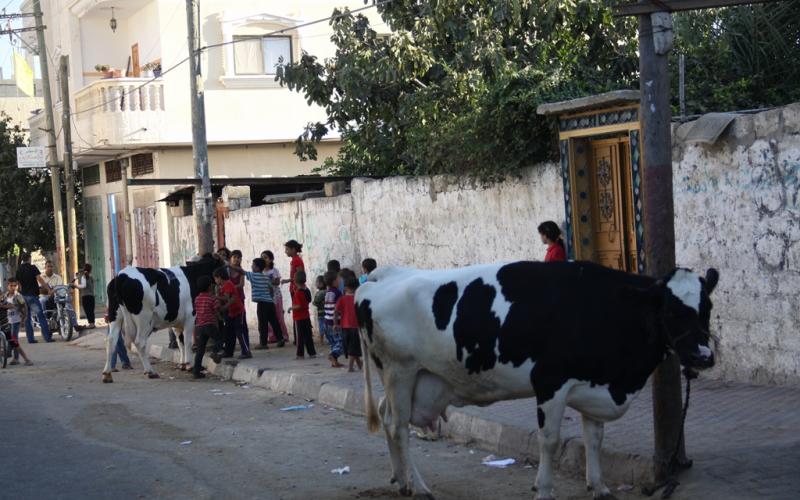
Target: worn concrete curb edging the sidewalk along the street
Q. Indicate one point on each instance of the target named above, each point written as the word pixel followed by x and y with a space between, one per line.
pixel 461 427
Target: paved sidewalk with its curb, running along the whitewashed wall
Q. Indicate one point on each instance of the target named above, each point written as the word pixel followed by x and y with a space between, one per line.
pixel 744 440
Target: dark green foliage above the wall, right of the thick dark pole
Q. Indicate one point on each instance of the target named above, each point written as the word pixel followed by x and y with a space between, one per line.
pixel 742 57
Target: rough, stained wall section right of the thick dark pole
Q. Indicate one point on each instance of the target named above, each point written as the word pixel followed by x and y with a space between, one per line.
pixel 737 208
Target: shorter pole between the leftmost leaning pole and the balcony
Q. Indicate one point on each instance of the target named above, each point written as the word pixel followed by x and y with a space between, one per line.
pixel 69 175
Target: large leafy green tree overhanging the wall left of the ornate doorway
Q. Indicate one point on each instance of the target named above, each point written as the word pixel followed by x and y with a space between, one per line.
pixel 454 89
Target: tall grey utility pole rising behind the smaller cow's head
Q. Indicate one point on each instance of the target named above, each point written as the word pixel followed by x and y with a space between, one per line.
pixel 203 203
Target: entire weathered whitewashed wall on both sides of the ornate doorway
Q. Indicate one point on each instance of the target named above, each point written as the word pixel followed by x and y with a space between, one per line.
pixel 736 209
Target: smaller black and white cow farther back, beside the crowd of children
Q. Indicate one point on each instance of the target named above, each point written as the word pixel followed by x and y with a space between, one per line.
pixel 145 299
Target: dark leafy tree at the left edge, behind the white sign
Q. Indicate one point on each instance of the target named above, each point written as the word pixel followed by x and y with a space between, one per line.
pixel 26 202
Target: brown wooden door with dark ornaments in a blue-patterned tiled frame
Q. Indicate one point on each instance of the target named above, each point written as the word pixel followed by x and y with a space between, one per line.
pixel 608 200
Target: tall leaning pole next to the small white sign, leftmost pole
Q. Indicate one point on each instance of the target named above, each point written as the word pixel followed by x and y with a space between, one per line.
pixel 55 177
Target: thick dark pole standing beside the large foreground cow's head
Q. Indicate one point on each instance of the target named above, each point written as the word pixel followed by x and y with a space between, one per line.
pixel 659 224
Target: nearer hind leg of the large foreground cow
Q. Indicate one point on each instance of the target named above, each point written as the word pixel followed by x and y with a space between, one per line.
pixel 399 385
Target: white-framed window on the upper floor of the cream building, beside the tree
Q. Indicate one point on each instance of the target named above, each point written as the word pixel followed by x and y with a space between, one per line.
pixel 260 55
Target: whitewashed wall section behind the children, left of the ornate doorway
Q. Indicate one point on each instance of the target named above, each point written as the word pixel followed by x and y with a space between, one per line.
pixel 422 222
